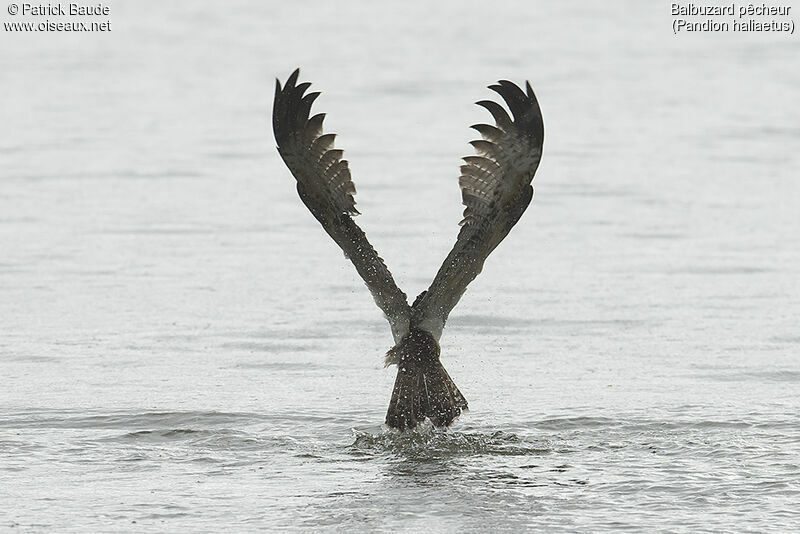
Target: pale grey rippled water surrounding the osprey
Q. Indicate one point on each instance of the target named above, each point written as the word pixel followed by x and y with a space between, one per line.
pixel 183 348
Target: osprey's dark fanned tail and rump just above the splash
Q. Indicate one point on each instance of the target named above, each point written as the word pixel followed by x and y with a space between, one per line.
pixel 422 388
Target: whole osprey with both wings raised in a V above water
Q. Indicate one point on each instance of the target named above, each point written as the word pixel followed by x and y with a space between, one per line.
pixel 496 189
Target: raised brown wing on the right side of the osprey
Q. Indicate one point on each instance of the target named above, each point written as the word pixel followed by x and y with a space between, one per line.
pixel 496 189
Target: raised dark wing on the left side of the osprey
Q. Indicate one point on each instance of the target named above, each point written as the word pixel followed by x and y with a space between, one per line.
pixel 325 187
